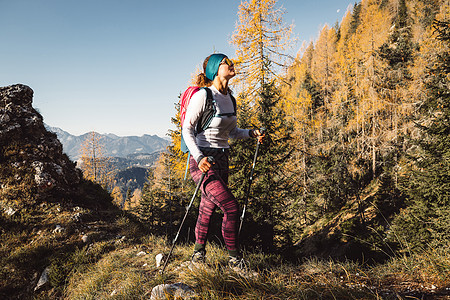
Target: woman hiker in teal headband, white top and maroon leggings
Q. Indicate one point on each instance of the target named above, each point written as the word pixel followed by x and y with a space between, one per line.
pixel 218 69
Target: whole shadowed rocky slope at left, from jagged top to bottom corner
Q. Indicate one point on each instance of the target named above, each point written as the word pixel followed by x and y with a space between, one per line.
pixel 46 207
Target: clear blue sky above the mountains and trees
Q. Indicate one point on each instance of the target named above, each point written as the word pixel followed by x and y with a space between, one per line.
pixel 116 66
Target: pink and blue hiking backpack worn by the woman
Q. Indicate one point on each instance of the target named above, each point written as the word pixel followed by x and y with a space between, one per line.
pixel 208 114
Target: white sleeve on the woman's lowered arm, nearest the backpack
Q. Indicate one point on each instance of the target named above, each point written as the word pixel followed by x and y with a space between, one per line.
pixel 194 111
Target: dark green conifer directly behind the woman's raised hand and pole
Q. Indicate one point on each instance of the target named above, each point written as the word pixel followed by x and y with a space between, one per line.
pixel 267 221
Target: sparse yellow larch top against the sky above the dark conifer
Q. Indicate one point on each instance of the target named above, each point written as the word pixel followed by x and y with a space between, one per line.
pixel 261 39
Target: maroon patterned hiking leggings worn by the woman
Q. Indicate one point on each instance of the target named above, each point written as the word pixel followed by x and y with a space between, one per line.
pixel 215 192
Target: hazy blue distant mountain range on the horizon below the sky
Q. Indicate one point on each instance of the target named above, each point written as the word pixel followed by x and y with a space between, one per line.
pixel 114 146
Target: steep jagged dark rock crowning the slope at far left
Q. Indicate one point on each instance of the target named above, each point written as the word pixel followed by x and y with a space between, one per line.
pixel 30 156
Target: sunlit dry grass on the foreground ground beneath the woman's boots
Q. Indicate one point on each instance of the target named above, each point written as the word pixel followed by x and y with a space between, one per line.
pixel 122 274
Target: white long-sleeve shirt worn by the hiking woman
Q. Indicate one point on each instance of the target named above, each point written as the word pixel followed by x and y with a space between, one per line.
pixel 219 131
